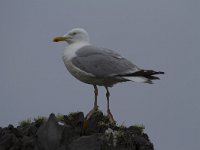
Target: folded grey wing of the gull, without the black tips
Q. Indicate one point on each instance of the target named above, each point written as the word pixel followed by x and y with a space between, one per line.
pixel 102 62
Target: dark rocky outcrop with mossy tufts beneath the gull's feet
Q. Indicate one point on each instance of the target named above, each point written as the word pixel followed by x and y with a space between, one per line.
pixel 73 132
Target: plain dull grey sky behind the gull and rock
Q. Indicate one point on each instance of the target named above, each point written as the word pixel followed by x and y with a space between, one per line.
pixel 155 34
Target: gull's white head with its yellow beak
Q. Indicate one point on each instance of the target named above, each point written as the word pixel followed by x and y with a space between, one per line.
pixel 74 35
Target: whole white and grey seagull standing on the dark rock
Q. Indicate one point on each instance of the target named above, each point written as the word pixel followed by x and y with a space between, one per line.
pixel 99 66
